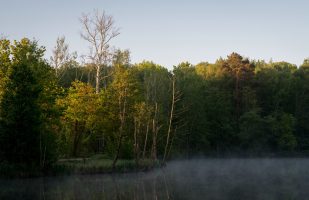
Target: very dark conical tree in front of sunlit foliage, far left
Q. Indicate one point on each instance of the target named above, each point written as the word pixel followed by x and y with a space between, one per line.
pixel 21 117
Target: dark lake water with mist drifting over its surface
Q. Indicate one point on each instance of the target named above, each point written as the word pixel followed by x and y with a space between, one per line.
pixel 237 179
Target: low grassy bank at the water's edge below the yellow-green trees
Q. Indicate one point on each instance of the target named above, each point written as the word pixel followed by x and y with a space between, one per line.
pixel 90 165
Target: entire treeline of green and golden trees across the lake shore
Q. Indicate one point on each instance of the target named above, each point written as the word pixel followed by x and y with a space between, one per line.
pixel 145 111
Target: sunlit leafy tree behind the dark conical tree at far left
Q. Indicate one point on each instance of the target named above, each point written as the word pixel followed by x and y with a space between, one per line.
pixel 28 54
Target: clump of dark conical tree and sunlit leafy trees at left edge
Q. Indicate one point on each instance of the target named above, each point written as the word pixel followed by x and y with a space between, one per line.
pixel 27 104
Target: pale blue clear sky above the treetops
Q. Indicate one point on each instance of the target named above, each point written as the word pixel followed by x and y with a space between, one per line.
pixel 171 31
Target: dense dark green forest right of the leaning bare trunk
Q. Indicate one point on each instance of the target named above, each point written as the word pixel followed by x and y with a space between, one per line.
pixel 240 106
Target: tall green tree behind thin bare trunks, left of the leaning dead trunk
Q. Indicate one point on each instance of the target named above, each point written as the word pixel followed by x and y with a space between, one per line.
pixel 154 83
